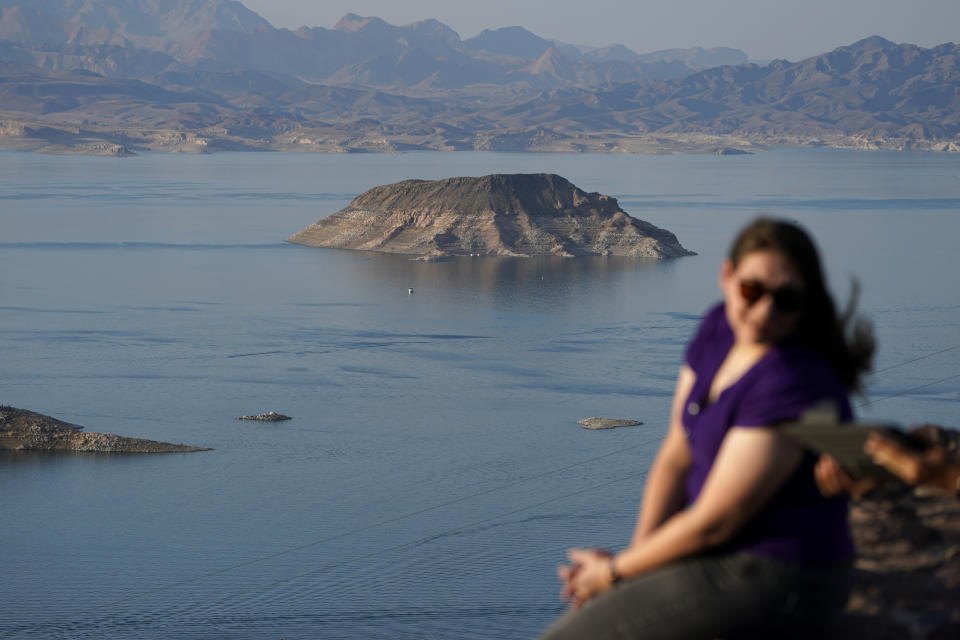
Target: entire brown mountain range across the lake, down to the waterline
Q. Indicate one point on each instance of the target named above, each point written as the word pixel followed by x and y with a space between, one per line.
pixel 114 76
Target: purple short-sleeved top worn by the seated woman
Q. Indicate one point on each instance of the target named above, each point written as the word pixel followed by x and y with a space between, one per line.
pixel 798 524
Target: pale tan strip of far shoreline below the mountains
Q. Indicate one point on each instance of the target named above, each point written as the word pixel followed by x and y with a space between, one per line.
pixel 59 138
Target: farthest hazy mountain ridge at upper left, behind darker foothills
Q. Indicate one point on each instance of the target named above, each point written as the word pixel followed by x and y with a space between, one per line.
pixel 223 35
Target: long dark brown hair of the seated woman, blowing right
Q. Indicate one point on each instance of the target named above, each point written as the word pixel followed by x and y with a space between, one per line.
pixel 844 340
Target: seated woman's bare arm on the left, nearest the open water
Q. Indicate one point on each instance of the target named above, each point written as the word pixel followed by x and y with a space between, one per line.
pixel 664 494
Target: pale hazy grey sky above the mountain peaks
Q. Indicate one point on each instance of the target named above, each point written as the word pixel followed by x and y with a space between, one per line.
pixel 765 29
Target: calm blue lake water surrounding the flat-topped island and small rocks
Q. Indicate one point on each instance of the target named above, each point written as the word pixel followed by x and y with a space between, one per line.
pixel 433 473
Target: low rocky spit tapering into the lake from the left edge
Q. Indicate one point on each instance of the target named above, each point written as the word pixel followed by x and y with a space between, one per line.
pixel 28 431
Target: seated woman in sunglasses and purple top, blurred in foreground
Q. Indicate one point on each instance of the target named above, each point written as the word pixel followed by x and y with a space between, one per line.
pixel 733 537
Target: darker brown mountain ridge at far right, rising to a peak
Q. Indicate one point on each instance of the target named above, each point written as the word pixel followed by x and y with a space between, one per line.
pixel 874 88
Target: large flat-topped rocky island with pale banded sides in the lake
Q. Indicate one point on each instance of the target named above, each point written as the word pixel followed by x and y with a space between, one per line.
pixel 495 215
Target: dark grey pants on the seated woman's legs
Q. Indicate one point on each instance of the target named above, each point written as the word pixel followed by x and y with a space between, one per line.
pixel 706 597
